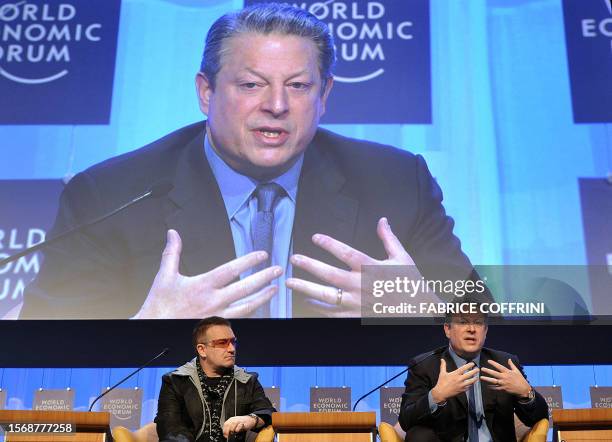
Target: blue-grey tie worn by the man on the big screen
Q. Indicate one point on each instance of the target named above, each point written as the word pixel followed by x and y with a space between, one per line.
pixel 263 229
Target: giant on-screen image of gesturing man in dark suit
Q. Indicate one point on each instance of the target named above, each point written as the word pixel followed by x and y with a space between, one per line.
pixel 268 215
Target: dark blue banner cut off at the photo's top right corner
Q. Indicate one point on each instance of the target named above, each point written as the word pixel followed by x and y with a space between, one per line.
pixel 588 34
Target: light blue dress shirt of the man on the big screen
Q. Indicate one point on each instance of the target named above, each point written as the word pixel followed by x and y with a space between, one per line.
pixel 241 206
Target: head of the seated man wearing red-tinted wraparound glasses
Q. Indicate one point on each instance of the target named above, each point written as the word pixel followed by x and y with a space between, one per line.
pixel 218 352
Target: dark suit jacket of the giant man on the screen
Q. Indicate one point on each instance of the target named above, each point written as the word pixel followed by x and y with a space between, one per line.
pixel 345 186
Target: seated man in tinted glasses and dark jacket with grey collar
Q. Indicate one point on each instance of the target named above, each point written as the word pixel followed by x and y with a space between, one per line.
pixel 209 398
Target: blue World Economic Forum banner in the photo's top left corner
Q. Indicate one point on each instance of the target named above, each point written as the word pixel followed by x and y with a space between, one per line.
pixel 57 50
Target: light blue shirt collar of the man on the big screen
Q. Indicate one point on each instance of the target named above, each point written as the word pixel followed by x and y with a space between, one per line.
pixel 237 188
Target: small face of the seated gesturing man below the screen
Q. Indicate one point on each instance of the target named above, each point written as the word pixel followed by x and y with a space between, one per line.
pixel 466 334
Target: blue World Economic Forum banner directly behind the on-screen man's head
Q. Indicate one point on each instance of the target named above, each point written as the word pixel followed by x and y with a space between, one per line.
pixel 383 51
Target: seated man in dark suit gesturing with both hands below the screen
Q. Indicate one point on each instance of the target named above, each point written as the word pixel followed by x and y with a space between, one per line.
pixel 467 392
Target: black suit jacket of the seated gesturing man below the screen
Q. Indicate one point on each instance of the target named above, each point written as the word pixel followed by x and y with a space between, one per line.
pixel 450 421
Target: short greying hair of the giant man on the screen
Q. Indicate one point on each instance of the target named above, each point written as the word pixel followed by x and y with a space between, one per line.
pixel 268 18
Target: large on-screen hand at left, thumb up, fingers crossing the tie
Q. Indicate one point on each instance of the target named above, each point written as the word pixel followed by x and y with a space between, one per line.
pixel 173 295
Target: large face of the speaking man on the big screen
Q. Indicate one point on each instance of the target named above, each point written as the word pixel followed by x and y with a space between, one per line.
pixel 266 103
